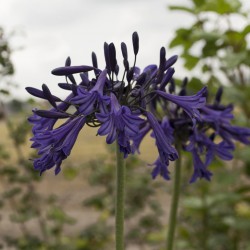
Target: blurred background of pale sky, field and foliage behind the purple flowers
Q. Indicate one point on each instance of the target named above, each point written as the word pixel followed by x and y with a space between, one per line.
pixel 75 209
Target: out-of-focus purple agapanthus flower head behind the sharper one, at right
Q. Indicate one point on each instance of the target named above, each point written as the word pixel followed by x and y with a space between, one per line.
pixel 210 135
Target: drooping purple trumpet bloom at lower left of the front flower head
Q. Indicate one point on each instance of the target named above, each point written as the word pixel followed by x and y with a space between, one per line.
pixel 55 145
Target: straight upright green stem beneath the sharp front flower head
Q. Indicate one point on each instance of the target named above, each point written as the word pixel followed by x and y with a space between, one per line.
pixel 120 195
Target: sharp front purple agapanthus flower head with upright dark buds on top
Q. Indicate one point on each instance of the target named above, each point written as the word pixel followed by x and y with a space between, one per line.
pixel 122 105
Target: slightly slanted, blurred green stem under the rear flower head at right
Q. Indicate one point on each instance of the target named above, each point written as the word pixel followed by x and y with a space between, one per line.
pixel 174 204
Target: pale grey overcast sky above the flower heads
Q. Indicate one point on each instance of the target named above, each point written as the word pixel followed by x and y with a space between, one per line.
pixel 47 31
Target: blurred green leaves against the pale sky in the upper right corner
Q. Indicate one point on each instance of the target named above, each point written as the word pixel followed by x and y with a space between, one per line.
pixel 211 44
